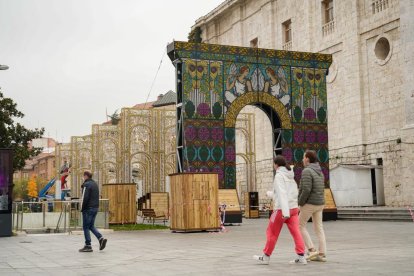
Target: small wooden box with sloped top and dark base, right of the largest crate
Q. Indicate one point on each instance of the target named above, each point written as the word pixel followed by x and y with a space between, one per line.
pixel 230 198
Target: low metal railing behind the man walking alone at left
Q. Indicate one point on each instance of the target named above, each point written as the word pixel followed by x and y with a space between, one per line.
pixel 54 216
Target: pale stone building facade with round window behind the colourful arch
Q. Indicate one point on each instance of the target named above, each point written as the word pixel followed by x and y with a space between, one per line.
pixel 370 83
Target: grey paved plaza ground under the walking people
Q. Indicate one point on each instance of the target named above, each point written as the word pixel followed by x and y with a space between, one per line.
pixel 355 248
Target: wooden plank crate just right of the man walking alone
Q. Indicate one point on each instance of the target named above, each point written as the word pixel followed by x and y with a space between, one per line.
pixel 122 202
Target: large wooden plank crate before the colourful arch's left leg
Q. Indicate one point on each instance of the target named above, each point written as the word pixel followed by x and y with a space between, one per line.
pixel 194 202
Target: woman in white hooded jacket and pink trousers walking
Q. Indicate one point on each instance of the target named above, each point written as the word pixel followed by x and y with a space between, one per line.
pixel 285 210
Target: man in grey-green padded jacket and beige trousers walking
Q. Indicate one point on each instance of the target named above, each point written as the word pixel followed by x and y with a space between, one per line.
pixel 311 202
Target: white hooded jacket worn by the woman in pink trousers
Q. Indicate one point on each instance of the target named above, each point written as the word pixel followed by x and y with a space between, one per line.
pixel 285 191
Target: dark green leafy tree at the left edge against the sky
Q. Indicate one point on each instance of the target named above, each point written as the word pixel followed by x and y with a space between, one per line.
pixel 14 135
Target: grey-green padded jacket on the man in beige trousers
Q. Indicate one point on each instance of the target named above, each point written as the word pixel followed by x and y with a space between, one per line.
pixel 312 186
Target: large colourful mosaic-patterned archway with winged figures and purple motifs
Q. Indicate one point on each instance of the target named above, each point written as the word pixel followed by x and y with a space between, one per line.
pixel 214 82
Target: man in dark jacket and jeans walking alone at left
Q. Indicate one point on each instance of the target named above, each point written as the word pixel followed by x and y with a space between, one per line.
pixel 90 206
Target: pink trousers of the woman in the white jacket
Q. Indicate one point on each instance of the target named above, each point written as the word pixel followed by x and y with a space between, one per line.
pixel 275 226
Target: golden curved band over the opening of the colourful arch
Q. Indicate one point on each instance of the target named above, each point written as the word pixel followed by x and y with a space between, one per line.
pixel 256 98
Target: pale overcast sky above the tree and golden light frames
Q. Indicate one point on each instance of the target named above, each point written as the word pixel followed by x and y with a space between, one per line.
pixel 70 60
